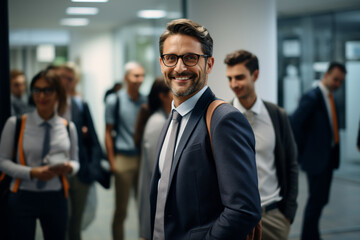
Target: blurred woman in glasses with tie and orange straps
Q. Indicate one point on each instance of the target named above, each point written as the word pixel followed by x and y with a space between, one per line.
pixel 46 152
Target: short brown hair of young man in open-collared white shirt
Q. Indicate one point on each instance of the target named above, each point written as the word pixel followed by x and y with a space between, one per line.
pixel 242 56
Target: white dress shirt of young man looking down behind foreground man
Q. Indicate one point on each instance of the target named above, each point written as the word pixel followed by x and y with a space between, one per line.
pixel 263 128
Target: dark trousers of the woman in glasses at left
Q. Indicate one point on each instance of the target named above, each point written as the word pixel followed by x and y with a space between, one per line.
pixel 49 207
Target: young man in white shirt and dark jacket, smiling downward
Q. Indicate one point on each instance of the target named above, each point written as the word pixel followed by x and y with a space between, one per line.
pixel 275 146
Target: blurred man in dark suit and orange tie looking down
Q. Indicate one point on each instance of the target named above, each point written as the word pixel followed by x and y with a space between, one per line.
pixel 315 126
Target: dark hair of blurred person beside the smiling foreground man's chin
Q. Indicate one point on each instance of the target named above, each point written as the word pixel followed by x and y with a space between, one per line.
pixel 158 87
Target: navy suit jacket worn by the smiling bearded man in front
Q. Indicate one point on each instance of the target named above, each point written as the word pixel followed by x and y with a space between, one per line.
pixel 211 196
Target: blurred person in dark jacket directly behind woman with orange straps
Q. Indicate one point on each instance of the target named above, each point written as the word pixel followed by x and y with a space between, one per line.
pixel 90 151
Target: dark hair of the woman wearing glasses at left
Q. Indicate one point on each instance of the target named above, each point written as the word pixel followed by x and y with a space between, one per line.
pixel 54 81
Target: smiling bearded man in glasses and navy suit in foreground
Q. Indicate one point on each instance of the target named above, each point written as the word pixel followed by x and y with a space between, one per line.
pixel 198 193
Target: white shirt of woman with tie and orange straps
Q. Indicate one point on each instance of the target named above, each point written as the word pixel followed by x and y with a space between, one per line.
pixel 34 134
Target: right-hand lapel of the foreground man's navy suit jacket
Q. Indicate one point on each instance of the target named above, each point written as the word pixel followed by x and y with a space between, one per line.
pixel 196 114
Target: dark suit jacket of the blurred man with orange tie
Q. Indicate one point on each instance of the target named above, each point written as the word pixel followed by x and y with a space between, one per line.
pixel 313 134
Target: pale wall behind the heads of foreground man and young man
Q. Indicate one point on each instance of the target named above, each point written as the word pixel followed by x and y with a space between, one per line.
pixel 240 24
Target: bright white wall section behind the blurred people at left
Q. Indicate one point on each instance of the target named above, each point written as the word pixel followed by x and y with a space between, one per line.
pixel 93 52
